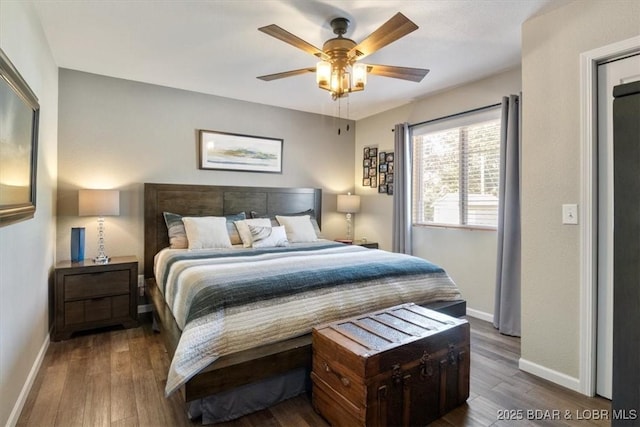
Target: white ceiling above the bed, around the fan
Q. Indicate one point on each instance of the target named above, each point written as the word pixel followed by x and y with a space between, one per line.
pixel 214 46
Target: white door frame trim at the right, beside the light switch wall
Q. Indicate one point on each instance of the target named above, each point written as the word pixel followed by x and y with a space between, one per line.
pixel 589 209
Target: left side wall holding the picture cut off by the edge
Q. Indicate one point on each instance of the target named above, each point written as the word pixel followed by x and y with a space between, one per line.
pixel 27 248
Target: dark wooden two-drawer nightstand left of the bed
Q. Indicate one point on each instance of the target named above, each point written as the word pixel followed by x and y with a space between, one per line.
pixel 89 295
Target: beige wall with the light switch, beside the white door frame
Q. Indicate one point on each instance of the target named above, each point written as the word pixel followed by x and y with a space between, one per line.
pixel 551 174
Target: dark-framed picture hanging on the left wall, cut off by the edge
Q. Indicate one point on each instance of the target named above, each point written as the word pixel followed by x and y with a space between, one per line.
pixel 19 115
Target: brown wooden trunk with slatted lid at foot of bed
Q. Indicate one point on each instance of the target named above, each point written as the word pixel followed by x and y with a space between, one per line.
pixel 404 365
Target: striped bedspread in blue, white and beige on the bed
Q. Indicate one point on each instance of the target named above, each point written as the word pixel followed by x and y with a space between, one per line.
pixel 229 300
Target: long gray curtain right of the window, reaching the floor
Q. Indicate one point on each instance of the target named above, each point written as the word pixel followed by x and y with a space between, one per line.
pixel 506 315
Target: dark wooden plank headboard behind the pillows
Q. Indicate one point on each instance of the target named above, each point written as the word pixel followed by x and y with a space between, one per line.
pixel 216 200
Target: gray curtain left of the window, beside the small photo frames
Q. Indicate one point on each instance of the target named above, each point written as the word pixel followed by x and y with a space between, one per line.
pixel 402 190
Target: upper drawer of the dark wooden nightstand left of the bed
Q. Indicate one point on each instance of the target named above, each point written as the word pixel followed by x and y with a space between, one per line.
pixel 93 285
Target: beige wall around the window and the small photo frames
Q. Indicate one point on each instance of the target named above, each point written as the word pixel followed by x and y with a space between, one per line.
pixel 468 255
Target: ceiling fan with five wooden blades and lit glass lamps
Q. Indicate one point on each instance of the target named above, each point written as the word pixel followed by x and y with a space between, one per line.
pixel 338 70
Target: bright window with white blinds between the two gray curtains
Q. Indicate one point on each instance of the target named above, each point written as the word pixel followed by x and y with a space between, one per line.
pixel 456 170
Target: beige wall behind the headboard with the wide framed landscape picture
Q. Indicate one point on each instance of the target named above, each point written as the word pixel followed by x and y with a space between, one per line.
pixel 119 134
